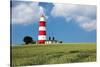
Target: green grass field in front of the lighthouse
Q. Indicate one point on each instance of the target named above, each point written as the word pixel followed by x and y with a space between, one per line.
pixel 53 54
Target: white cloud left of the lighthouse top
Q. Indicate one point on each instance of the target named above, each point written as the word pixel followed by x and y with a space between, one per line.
pixel 25 12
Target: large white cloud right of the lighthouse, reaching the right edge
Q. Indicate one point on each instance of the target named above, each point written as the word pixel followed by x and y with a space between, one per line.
pixel 84 15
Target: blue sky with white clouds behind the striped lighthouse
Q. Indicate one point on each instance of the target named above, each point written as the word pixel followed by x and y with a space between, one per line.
pixel 65 22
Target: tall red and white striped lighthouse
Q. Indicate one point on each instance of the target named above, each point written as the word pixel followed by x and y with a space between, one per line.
pixel 42 30
